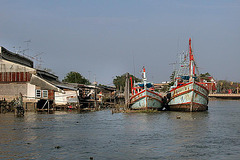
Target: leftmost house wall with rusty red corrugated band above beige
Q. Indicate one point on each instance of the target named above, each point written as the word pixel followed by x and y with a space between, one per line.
pixel 14 79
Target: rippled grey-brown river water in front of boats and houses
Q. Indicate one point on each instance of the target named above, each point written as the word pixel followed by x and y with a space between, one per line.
pixel 214 134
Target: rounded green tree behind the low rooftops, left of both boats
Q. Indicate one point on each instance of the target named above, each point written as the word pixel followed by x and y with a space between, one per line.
pixel 75 77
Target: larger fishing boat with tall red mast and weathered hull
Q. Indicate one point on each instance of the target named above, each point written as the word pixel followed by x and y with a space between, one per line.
pixel 187 93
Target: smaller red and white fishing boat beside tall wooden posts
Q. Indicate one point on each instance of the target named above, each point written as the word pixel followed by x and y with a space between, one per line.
pixel 144 96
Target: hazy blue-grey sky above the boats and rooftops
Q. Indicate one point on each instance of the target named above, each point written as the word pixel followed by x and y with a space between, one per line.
pixel 105 38
